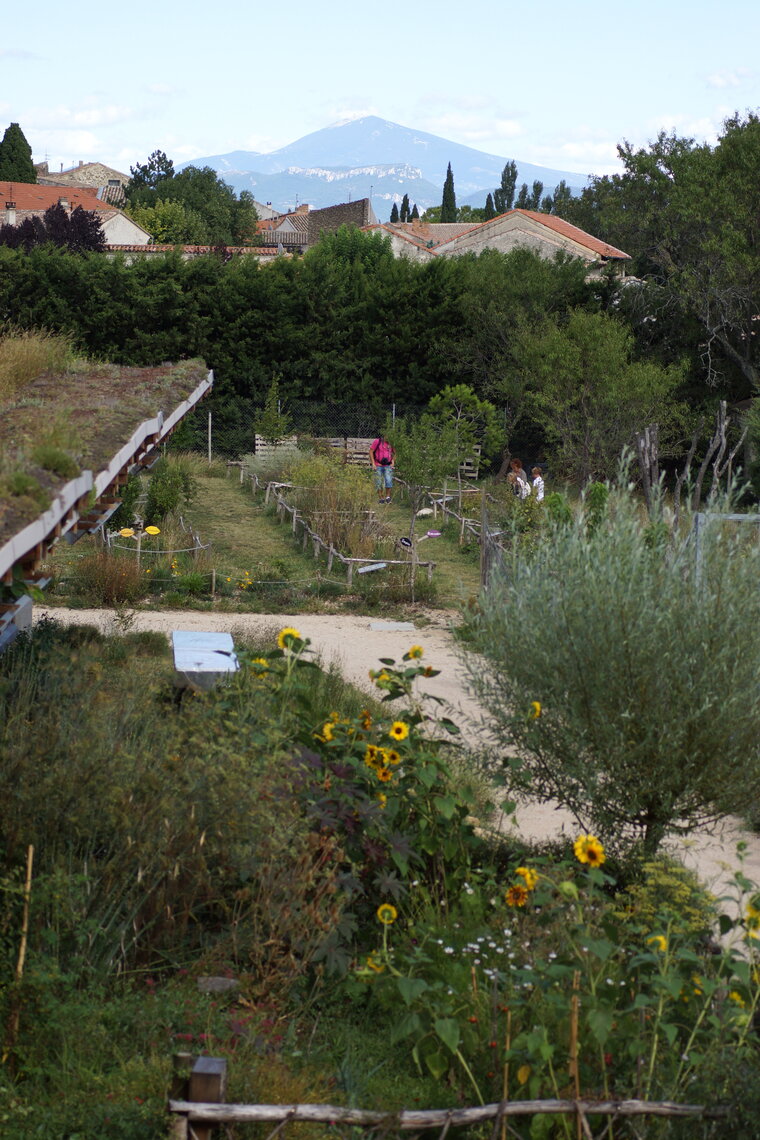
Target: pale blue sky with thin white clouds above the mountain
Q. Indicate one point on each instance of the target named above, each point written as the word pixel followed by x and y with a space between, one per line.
pixel 554 84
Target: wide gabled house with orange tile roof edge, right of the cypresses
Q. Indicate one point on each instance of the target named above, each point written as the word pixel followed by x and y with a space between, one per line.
pixel 546 234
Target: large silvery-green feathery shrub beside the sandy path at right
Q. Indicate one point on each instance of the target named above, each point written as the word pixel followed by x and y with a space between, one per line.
pixel 644 669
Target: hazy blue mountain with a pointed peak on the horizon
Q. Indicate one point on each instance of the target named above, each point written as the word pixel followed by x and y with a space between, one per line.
pixel 373 158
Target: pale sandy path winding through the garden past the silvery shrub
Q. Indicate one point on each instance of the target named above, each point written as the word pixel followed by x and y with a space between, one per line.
pixel 356 646
